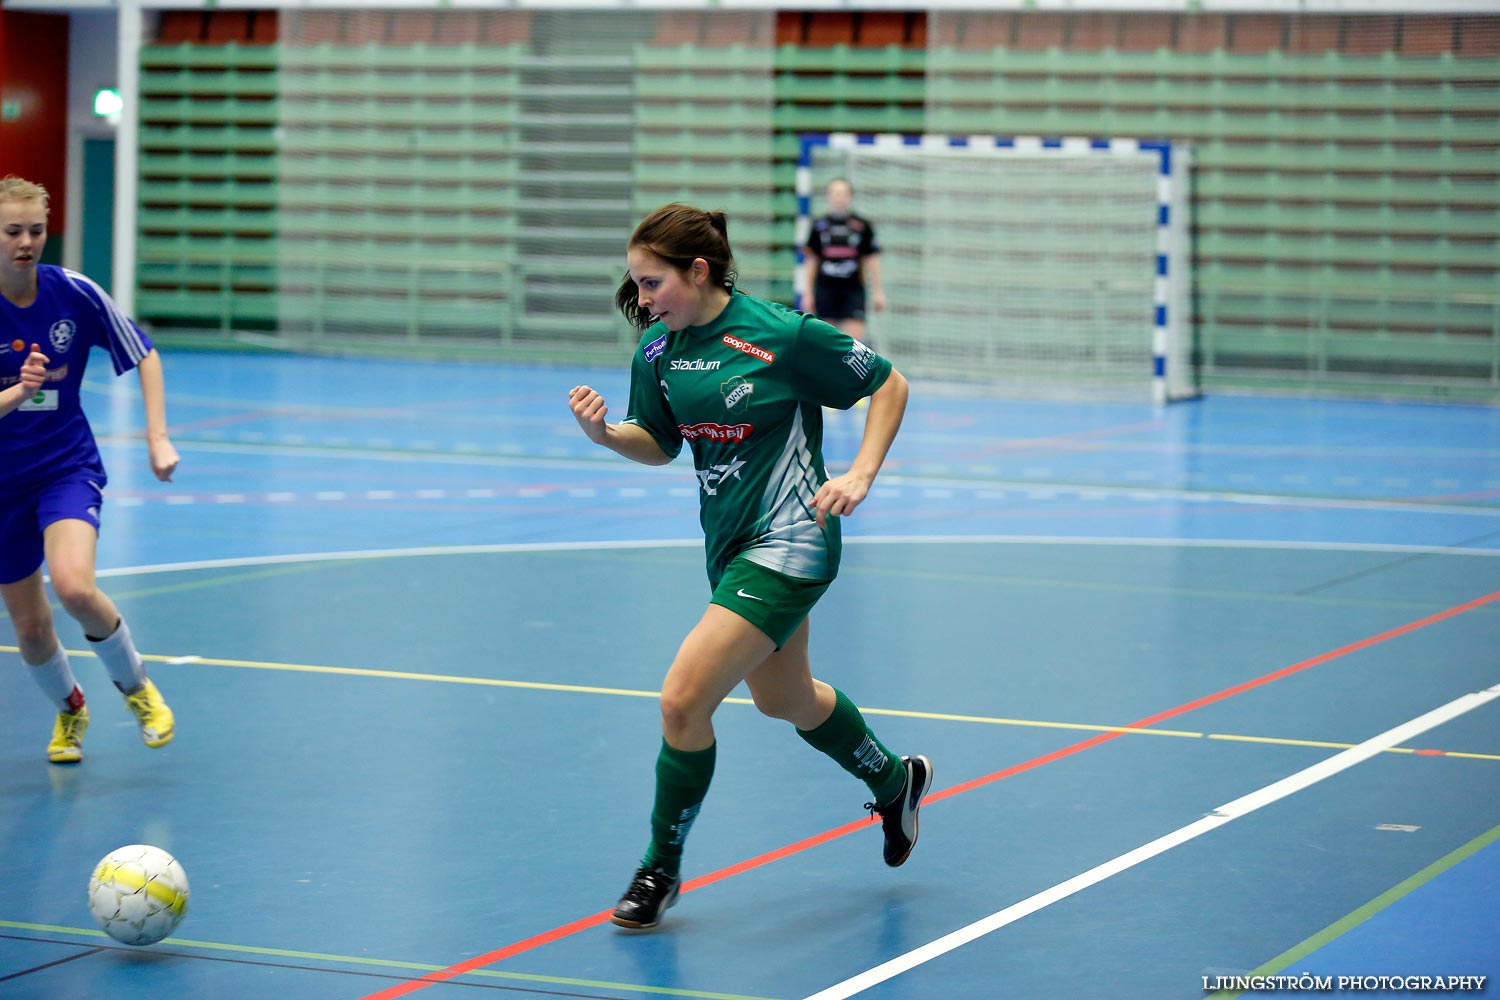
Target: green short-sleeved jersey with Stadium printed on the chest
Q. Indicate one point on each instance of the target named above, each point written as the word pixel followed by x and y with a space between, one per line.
pixel 746 392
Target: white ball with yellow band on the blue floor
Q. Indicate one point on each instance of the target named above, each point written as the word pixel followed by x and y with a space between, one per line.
pixel 139 894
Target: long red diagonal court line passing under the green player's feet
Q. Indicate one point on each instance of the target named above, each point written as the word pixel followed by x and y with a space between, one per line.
pixel 401 990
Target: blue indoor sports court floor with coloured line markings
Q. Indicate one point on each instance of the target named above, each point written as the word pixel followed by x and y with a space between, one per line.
pixel 1211 692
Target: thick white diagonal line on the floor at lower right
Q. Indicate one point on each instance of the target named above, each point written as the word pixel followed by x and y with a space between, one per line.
pixel 1223 815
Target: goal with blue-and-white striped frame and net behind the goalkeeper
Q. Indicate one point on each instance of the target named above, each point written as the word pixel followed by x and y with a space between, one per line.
pixel 1018 262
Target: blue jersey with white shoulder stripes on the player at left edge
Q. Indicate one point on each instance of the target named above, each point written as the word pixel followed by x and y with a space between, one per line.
pixel 49 436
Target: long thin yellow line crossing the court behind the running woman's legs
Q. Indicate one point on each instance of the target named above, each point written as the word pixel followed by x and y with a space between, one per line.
pixel 580 689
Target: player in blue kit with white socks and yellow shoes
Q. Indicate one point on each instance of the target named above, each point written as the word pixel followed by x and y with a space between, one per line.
pixel 52 476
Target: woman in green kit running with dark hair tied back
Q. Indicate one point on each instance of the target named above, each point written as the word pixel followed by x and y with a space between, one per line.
pixel 745 382
